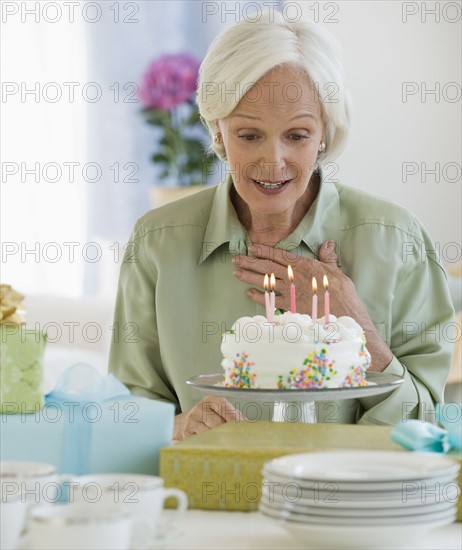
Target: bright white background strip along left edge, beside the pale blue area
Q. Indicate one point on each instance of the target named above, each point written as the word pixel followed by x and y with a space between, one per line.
pixel 41 129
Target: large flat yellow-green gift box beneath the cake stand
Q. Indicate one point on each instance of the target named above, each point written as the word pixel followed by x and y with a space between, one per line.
pixel 221 469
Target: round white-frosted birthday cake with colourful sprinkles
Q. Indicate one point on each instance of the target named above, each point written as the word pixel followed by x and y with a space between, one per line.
pixel 294 353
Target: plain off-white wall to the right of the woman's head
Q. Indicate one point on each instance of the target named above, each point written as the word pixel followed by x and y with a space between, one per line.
pixel 381 52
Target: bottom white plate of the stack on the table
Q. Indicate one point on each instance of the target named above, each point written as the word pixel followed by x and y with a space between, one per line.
pixel 373 537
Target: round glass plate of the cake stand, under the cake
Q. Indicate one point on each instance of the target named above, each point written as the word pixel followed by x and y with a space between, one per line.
pixel 379 383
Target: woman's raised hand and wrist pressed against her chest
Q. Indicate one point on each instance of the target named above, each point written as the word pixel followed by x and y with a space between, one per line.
pixel 342 293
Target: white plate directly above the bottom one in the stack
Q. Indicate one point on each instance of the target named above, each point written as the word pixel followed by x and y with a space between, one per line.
pixel 359 518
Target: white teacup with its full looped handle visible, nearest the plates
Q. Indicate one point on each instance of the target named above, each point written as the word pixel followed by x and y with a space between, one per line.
pixel 143 496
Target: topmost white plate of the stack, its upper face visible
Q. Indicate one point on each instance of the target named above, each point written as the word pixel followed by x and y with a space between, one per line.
pixel 362 466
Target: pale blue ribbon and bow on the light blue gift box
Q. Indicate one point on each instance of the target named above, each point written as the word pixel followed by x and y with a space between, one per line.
pixel 77 388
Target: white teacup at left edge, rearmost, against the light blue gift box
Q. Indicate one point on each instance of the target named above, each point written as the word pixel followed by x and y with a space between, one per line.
pixel 36 482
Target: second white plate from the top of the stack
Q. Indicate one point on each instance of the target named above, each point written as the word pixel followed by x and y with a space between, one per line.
pixel 357 489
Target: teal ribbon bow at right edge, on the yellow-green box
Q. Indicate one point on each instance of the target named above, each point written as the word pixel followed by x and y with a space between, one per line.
pixel 417 435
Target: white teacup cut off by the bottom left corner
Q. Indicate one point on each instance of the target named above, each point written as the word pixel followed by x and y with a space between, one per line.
pixel 13 510
